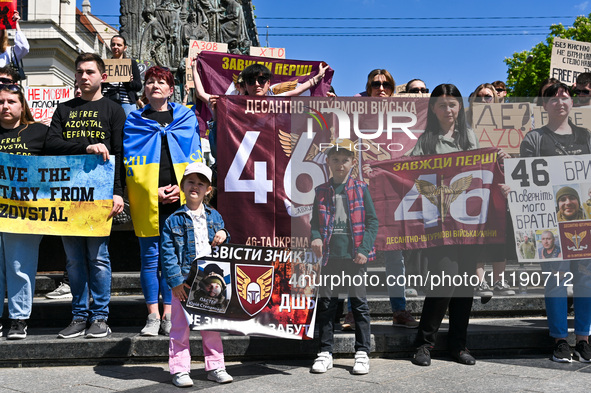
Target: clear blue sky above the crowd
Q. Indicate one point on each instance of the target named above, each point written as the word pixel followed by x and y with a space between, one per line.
pixel 463 42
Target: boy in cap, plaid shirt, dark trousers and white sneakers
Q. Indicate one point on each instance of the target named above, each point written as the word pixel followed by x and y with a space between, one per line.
pixel 344 227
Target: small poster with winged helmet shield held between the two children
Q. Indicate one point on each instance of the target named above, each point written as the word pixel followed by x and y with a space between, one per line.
pixel 256 291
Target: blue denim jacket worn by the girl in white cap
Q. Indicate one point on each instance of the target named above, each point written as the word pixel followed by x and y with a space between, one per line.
pixel 177 246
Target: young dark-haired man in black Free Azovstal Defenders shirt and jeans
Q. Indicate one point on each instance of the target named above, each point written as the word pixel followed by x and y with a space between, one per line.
pixel 95 124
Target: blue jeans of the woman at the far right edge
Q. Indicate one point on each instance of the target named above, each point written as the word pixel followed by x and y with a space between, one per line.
pixel 556 299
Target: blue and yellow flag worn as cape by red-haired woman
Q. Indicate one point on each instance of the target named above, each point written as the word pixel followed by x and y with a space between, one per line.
pixel 142 140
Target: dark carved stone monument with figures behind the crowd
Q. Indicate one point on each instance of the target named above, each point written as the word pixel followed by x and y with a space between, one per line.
pixel 160 31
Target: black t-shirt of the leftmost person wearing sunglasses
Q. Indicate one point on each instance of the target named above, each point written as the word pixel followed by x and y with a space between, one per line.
pixel 26 139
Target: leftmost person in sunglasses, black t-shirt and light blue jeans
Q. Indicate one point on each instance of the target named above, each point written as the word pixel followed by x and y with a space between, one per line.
pixel 19 253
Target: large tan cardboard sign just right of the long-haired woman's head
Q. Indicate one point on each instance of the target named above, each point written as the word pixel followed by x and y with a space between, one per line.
pixel 501 125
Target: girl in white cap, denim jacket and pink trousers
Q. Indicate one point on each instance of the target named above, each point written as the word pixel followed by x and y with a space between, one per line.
pixel 186 237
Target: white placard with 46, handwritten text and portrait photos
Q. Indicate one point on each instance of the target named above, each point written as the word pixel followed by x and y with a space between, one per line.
pixel 550 203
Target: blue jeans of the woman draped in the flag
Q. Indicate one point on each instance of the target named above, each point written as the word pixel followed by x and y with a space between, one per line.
pixel 153 282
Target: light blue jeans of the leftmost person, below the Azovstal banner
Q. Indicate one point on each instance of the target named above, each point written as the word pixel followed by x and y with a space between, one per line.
pixel 19 254
